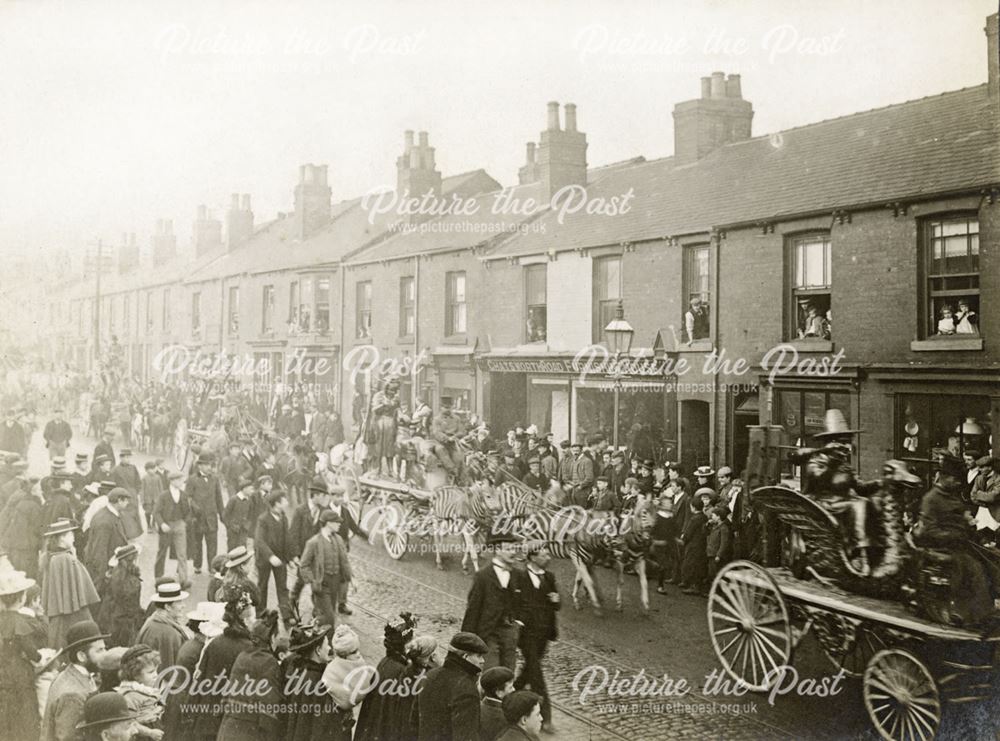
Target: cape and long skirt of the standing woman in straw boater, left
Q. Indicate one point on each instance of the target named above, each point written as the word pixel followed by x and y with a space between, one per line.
pixel 67 593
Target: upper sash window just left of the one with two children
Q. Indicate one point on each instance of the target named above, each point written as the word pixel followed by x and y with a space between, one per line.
pixel 810 288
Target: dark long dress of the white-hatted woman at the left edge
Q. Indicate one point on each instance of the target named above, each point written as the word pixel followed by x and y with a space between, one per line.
pixel 21 637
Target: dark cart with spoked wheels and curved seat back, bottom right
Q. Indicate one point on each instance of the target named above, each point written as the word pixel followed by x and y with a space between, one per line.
pixel 909 666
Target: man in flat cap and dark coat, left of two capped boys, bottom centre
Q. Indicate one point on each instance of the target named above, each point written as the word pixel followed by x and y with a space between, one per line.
pixel 448 704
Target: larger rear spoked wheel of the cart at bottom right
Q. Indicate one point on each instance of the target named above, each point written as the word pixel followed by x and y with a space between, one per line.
pixel 750 625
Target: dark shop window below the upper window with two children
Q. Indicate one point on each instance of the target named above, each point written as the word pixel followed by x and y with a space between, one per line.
pixel 929 422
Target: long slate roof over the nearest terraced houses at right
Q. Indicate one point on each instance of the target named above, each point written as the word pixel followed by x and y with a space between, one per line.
pixel 939 144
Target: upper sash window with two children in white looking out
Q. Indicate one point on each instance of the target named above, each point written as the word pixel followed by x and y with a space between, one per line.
pixel 951 265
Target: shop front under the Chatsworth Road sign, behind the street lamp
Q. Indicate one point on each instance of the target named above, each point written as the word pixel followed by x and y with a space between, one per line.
pixel 553 395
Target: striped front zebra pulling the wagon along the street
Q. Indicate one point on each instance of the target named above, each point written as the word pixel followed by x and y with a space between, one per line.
pixel 585 537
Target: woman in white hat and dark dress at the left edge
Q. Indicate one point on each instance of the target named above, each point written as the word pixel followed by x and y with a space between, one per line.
pixel 21 638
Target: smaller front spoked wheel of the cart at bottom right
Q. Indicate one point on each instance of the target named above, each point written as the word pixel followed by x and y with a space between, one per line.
pixel 901 696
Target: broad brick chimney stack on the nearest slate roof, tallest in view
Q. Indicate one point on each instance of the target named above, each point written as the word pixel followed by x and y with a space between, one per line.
pixel 717 118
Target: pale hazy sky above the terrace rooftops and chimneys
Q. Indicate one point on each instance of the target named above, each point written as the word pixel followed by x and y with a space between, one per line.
pixel 115 114
